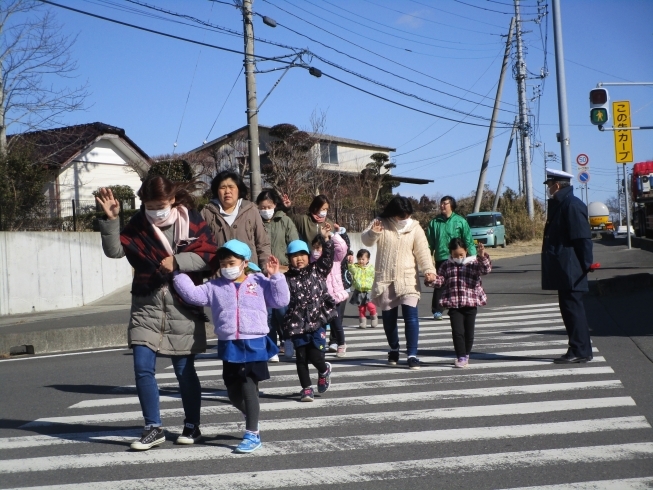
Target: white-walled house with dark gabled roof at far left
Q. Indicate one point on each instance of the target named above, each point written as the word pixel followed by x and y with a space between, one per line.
pixel 85 157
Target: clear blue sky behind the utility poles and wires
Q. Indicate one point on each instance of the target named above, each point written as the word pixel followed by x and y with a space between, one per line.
pixel 447 53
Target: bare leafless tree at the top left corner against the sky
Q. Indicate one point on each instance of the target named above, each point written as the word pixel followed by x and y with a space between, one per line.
pixel 33 54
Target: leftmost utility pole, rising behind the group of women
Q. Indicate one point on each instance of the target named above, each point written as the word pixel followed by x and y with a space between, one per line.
pixel 252 107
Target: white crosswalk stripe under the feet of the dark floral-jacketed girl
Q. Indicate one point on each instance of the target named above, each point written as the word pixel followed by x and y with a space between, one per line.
pixel 366 385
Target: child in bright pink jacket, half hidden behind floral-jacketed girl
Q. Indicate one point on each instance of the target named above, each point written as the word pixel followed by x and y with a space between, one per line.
pixel 336 289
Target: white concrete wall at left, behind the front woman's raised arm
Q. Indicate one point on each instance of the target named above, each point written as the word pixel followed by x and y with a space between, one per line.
pixel 42 271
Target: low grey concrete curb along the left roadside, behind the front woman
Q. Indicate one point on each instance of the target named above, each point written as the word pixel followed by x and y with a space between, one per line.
pixel 69 339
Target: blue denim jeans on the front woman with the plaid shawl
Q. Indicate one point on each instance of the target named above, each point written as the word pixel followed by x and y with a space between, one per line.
pixel 148 390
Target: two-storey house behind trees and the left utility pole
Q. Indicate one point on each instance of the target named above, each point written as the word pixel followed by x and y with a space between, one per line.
pixel 333 153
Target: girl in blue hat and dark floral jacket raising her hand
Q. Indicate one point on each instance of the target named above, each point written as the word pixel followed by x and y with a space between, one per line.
pixel 311 308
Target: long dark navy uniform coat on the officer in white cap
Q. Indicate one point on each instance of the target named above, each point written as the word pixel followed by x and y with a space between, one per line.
pixel 567 246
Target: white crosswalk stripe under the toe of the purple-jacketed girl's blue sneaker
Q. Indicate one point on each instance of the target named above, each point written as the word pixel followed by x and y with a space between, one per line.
pixel 327 444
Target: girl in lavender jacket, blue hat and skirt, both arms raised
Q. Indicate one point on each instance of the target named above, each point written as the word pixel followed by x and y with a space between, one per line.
pixel 239 300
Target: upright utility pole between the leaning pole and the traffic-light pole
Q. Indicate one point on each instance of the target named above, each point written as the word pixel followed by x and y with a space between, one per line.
pixel 524 125
